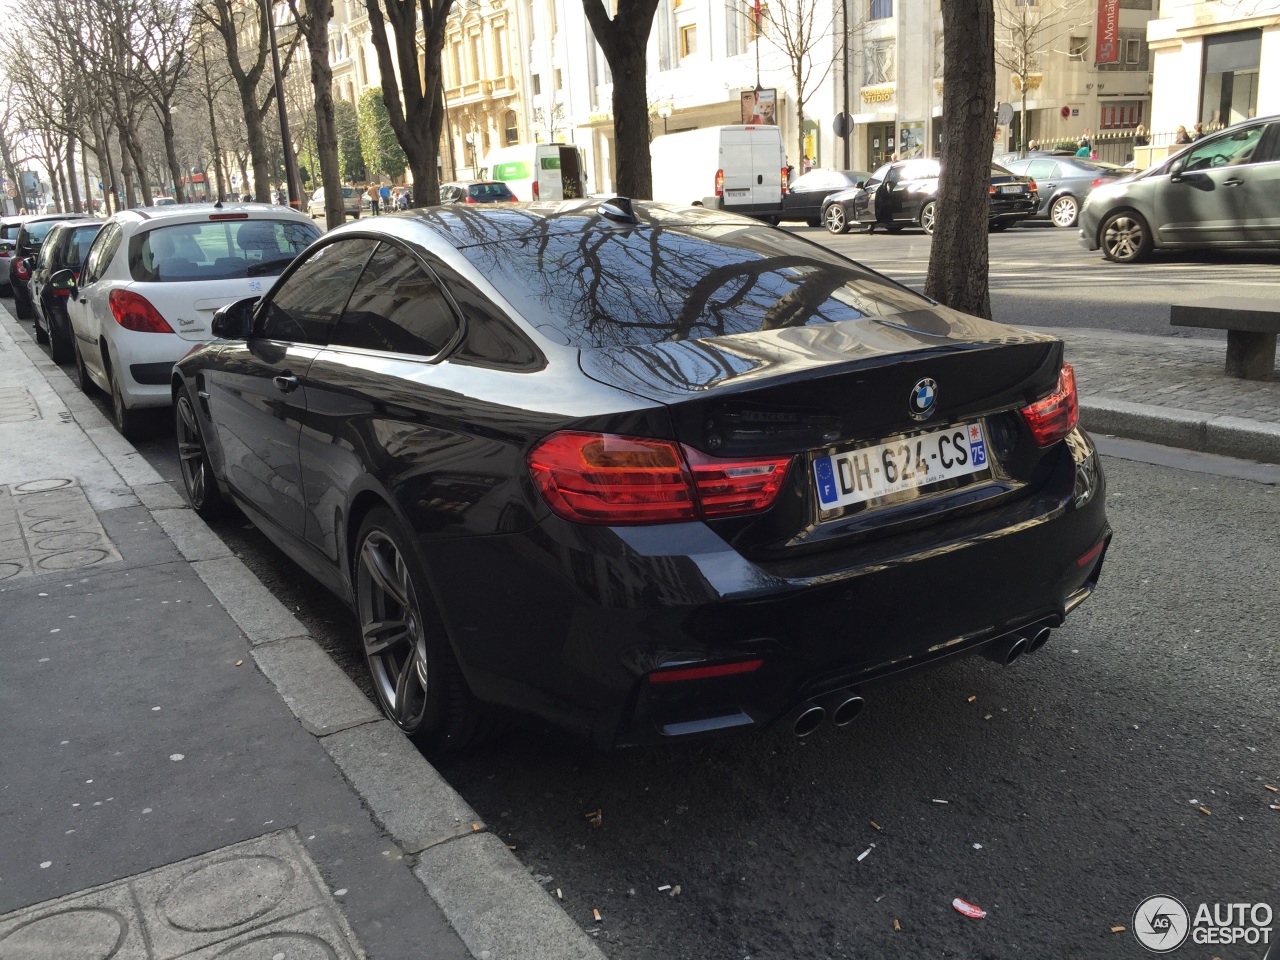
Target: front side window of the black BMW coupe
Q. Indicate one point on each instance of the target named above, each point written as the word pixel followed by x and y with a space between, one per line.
pixel 307 307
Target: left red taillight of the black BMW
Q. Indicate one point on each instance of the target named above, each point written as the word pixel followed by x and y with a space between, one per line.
pixel 615 481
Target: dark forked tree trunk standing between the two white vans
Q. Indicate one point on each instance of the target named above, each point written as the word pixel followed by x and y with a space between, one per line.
pixel 623 40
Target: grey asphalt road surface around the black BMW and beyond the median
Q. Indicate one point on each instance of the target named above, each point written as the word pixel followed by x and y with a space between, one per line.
pixel 1080 771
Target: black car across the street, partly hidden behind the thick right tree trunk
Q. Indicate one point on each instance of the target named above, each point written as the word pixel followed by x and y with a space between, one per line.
pixel 911 191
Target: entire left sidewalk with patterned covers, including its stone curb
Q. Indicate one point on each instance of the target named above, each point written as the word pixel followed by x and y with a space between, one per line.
pixel 184 772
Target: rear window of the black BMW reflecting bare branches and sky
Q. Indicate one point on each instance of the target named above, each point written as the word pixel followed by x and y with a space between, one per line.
pixel 619 286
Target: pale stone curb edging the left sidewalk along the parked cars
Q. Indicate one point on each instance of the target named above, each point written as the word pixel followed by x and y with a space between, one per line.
pixel 404 793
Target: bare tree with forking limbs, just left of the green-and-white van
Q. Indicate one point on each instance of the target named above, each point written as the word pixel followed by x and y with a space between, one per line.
pixel 413 88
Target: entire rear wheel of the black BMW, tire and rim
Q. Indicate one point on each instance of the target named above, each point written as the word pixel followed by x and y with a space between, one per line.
pixel 417 678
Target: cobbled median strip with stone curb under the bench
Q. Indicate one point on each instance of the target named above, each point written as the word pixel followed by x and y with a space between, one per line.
pixel 1173 392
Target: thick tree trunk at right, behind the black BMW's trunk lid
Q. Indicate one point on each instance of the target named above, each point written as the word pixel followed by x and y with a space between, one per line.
pixel 959 260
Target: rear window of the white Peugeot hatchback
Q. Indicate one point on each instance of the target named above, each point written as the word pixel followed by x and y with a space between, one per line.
pixel 218 250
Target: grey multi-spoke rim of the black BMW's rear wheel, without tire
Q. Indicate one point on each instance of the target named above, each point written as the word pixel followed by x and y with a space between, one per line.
pixel 394 632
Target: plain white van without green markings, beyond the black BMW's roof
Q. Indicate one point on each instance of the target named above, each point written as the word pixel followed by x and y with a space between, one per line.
pixel 742 170
